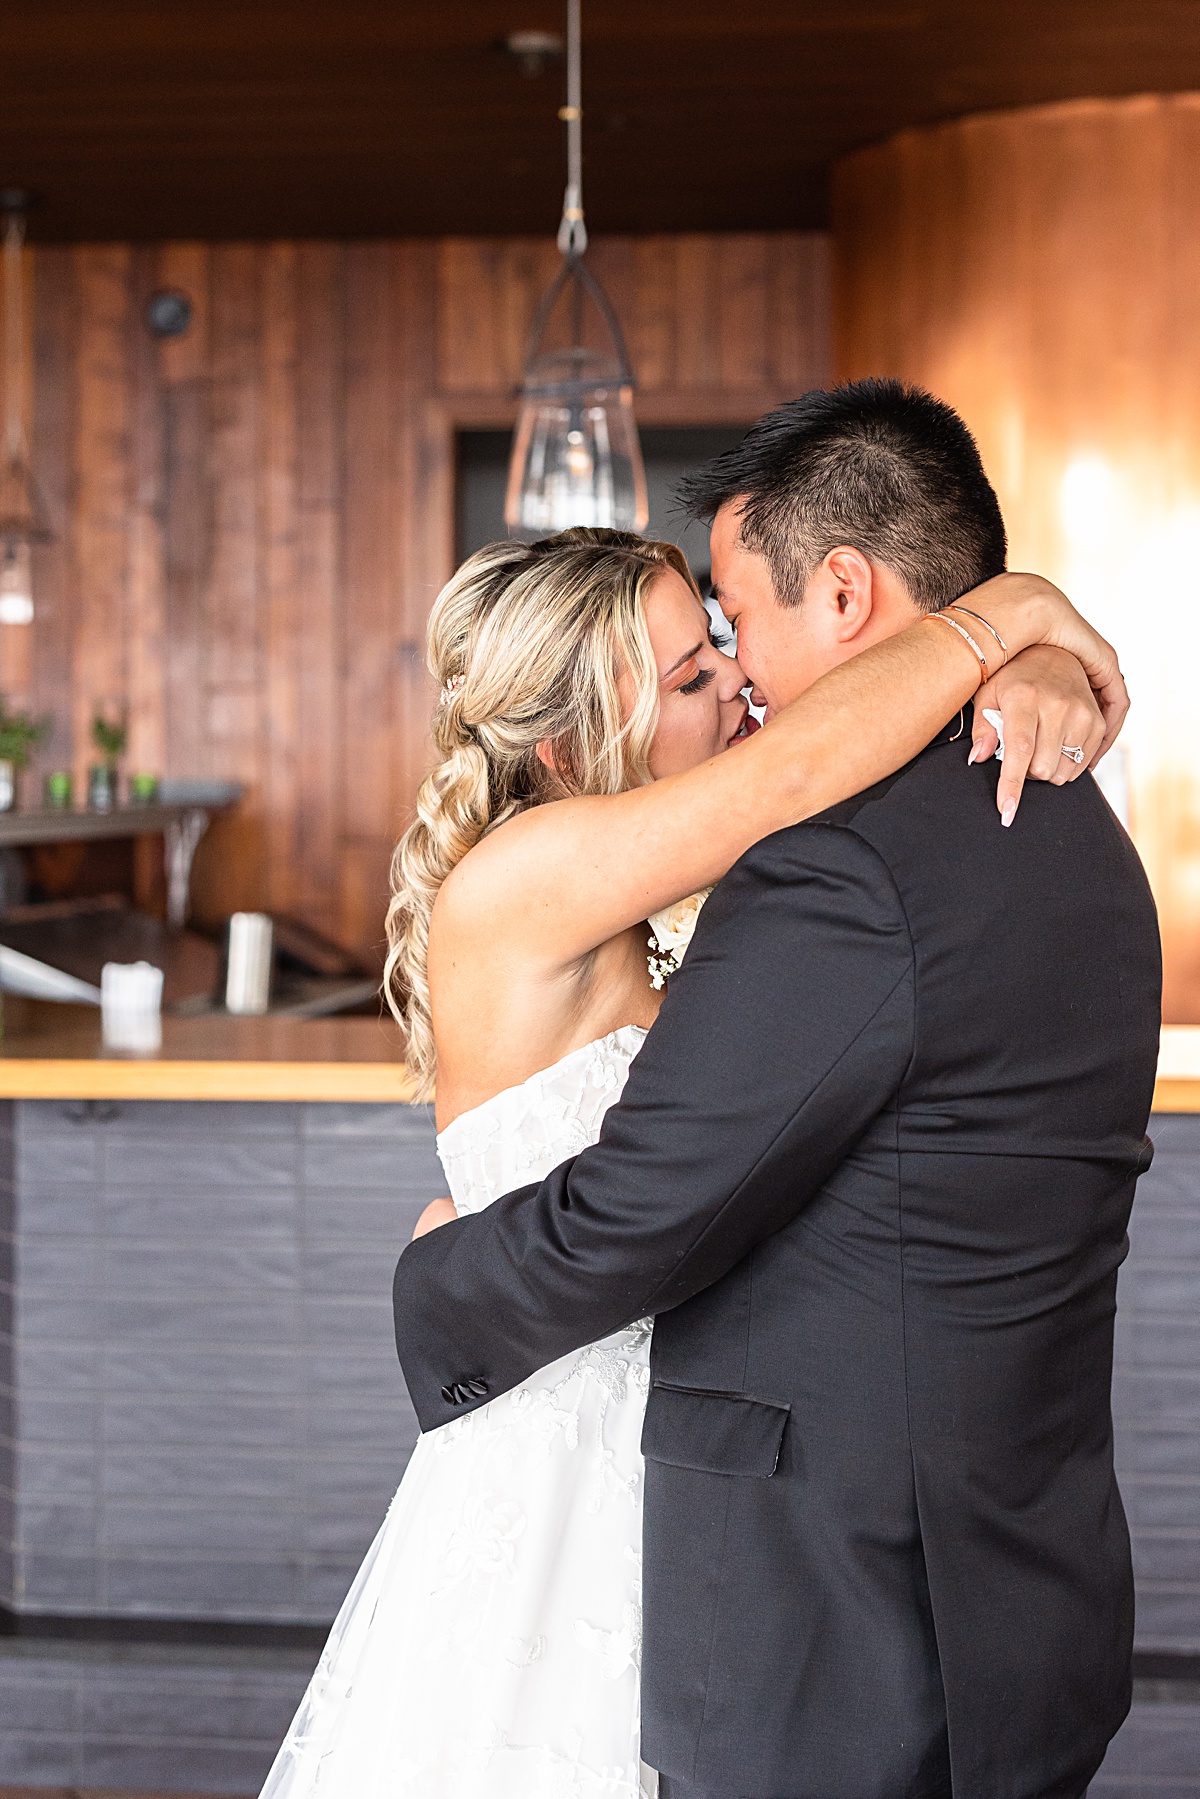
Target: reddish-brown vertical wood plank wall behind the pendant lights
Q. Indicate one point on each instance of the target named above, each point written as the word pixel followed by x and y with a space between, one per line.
pixel 251 521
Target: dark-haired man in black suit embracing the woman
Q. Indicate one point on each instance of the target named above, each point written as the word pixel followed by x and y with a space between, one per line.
pixel 872 1176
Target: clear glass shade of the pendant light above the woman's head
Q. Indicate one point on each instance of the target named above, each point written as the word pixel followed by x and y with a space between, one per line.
pixel 577 456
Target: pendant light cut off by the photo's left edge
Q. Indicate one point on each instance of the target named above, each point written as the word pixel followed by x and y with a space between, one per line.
pixel 22 515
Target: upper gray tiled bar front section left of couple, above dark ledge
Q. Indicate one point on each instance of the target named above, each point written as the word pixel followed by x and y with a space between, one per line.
pixel 208 1419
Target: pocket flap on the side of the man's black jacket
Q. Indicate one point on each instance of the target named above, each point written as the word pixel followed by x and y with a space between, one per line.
pixel 715 1433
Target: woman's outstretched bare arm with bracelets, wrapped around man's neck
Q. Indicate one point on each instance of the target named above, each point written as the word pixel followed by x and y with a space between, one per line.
pixel 568 877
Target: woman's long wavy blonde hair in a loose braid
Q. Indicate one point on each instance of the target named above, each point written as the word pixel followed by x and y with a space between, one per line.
pixel 528 643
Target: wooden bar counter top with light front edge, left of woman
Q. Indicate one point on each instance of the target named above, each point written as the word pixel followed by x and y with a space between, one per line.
pixel 55 1053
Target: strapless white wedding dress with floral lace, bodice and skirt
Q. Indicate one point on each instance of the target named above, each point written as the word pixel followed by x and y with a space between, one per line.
pixel 492 1640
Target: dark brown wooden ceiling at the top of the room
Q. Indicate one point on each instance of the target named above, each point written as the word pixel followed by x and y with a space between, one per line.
pixel 352 118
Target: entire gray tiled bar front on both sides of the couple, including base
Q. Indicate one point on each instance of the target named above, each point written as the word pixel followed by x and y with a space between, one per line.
pixel 202 1417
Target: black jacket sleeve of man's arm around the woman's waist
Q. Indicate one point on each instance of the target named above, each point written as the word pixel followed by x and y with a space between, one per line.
pixel 787 1030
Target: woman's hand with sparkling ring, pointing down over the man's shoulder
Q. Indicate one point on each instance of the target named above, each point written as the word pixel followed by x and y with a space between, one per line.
pixel 1046 703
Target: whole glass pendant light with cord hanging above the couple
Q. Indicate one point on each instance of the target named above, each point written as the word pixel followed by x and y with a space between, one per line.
pixel 577 456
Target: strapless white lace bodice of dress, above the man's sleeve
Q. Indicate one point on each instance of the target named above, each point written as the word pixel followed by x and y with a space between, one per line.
pixel 524 1132
